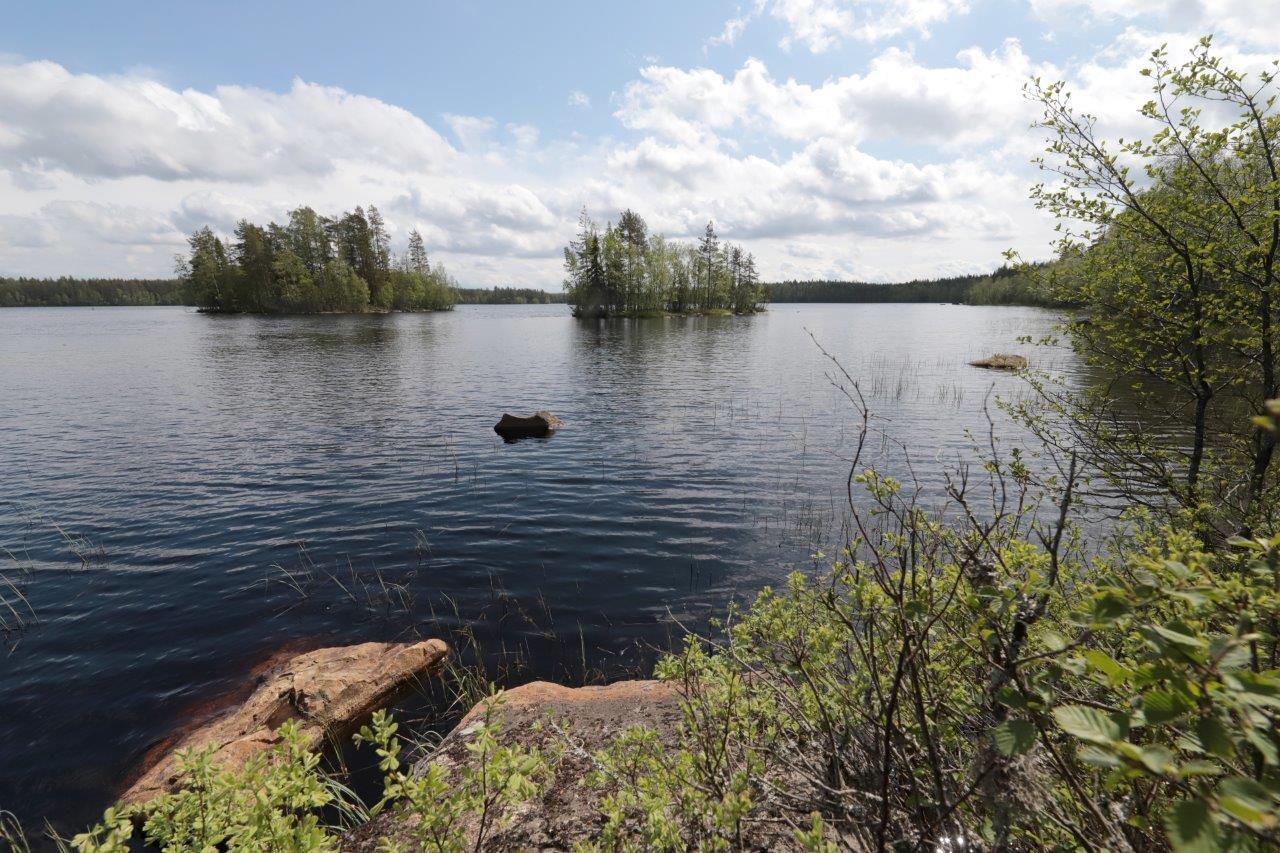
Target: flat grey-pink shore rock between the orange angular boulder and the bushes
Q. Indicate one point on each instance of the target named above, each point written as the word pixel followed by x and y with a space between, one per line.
pixel 570 722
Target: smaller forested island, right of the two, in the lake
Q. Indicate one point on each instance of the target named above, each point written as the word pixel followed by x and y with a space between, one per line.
pixel 627 272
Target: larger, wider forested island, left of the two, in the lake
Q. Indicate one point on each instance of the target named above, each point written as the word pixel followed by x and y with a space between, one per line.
pixel 313 264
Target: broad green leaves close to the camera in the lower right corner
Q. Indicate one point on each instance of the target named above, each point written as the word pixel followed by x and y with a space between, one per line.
pixel 1183 687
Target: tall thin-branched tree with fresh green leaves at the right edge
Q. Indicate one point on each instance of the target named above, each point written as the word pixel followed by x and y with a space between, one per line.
pixel 1169 240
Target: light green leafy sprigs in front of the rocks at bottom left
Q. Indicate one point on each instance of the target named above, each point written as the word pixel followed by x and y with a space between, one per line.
pixel 278 801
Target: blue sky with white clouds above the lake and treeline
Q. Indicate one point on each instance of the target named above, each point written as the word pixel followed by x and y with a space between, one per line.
pixel 871 140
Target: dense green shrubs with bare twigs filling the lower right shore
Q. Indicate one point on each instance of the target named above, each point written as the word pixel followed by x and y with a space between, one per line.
pixel 979 696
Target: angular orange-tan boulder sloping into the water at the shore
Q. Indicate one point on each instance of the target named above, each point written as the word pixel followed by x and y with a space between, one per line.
pixel 328 691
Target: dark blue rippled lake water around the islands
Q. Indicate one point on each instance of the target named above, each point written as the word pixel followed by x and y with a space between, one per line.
pixel 181 495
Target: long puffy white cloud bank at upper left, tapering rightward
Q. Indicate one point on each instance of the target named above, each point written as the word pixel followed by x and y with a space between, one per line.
pixel 112 127
